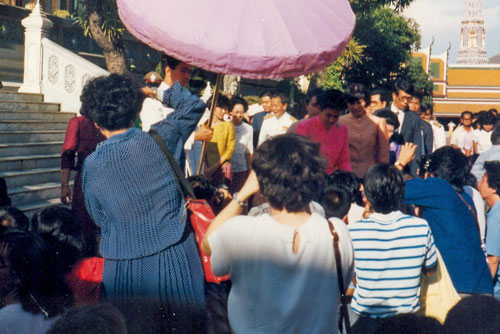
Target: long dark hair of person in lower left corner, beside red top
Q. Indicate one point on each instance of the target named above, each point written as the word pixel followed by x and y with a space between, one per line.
pixel 41 285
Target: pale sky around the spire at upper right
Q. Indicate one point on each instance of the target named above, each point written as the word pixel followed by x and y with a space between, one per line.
pixel 441 19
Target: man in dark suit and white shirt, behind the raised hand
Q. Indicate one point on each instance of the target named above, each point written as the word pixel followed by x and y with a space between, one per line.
pixel 410 122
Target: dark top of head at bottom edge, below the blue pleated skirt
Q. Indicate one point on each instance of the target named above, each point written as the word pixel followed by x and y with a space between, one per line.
pixel 90 319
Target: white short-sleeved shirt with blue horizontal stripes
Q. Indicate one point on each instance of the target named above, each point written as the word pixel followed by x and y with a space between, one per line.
pixel 390 251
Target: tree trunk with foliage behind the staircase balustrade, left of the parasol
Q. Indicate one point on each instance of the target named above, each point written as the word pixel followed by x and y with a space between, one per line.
pixel 99 19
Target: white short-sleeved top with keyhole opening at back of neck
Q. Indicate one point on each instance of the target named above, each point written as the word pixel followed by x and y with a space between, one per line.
pixel 273 289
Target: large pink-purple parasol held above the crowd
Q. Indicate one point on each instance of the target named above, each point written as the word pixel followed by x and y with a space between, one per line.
pixel 254 39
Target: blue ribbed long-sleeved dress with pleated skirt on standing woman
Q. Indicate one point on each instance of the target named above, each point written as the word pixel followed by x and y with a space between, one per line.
pixel 131 193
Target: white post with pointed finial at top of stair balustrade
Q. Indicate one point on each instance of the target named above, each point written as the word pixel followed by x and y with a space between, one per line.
pixel 36 27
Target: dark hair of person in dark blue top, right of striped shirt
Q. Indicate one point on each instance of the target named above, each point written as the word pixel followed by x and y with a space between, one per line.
pixel 450 165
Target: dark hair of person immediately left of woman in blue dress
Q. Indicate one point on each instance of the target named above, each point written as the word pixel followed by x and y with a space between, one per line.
pixel 64 225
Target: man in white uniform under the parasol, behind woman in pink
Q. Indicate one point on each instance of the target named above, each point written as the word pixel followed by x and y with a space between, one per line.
pixel 278 121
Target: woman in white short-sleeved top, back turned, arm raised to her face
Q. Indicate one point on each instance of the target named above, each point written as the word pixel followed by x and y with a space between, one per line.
pixel 282 264
